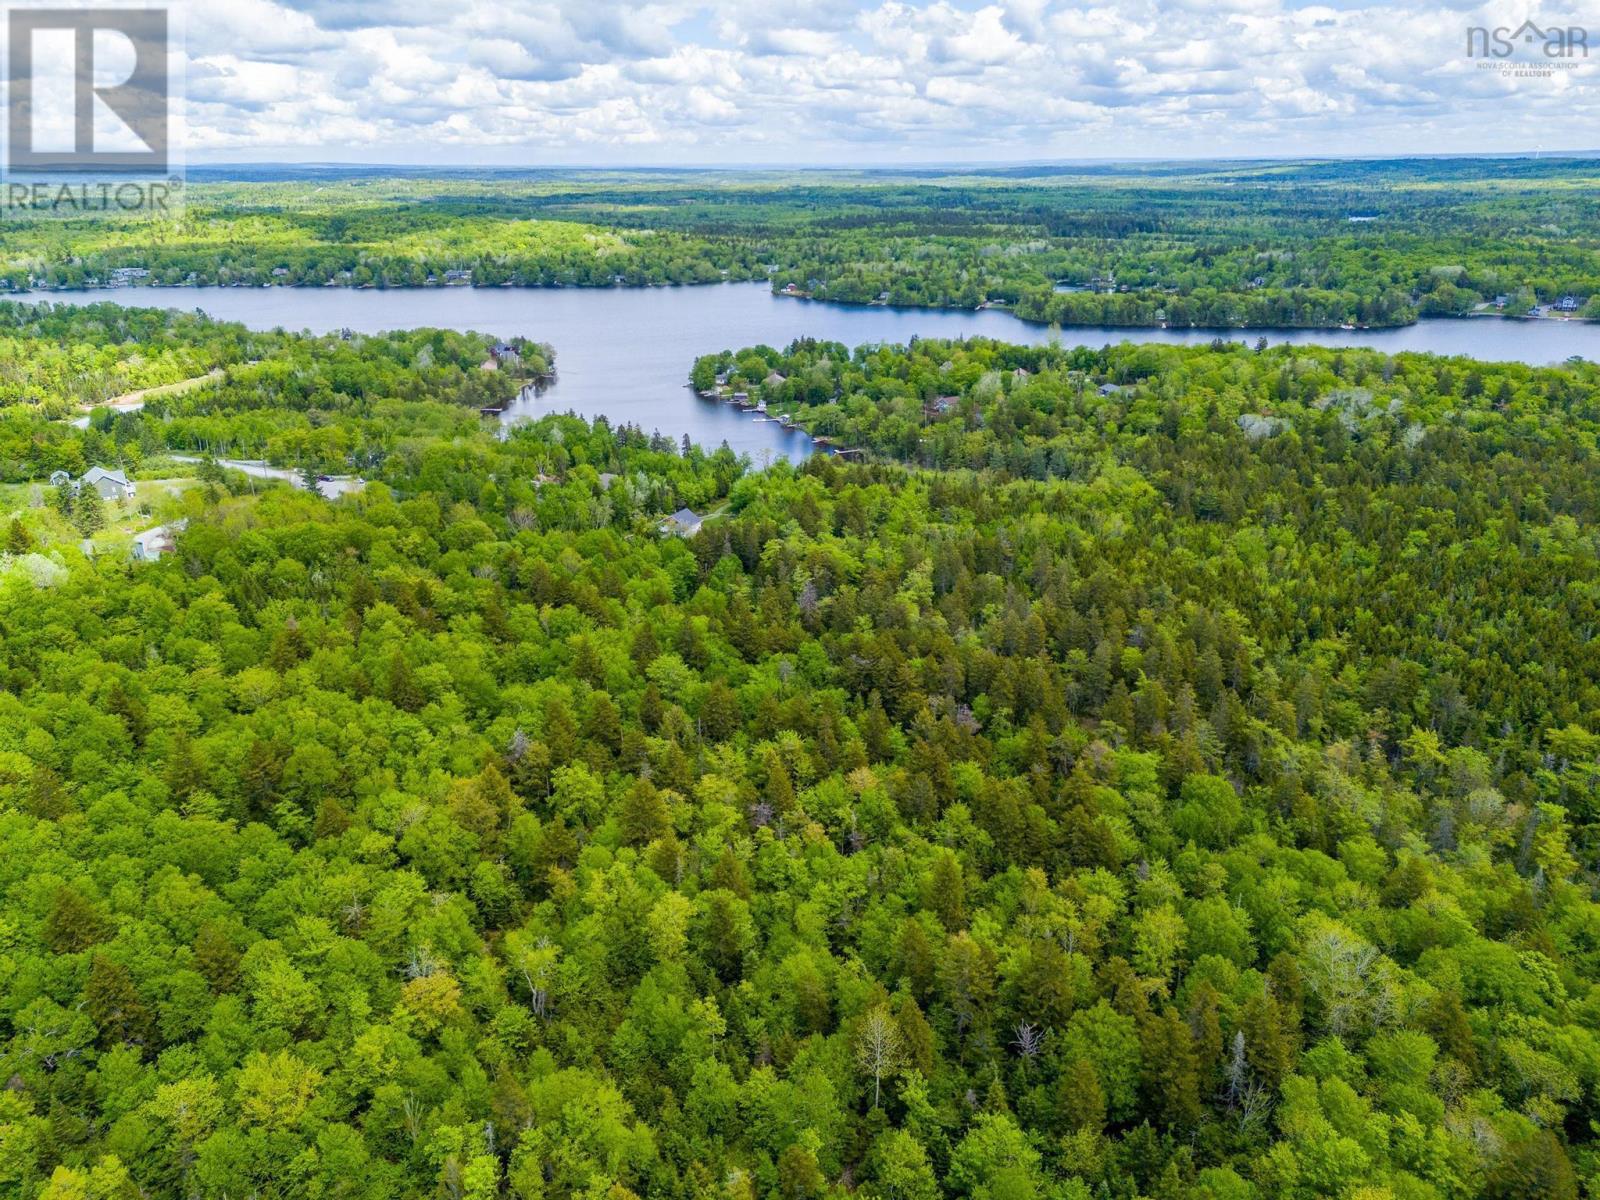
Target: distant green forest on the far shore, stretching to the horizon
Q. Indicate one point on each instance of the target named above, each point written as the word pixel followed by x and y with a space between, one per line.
pixel 1183 246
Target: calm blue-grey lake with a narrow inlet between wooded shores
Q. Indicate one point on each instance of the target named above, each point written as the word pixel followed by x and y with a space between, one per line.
pixel 626 353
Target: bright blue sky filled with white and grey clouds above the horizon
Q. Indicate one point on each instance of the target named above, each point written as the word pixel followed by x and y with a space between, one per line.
pixel 863 82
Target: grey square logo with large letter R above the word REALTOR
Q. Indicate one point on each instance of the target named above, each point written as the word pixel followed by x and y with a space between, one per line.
pixel 89 90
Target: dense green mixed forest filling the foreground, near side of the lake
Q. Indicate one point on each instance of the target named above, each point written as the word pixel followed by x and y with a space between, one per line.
pixel 1151 774
